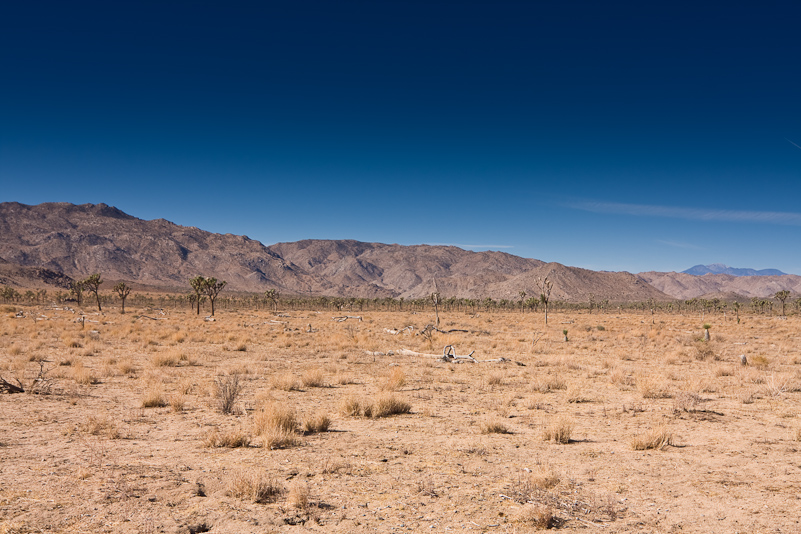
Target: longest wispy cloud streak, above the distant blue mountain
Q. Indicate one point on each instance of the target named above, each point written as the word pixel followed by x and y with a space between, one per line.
pixel 696 214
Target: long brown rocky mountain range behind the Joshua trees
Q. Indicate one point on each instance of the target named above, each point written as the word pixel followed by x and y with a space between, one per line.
pixel 51 242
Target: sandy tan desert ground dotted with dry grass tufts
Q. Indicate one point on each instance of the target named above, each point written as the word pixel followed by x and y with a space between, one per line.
pixel 471 454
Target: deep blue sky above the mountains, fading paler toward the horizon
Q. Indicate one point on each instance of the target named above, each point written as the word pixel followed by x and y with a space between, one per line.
pixel 608 135
